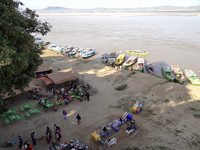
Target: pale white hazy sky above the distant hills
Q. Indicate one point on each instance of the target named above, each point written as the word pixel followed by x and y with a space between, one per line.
pixel 38 4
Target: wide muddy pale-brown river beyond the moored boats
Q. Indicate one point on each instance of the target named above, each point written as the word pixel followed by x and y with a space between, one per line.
pixel 168 39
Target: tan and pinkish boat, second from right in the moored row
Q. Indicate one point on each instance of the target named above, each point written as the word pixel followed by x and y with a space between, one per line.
pixel 179 76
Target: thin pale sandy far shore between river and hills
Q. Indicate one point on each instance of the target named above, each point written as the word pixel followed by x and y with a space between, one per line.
pixel 126 14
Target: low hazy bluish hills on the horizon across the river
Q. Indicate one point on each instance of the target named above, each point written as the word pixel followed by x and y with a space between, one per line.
pixel 168 8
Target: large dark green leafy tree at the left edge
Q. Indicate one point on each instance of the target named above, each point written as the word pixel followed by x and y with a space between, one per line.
pixel 19 55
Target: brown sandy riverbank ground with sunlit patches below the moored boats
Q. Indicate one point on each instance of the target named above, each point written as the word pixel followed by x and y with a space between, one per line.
pixel 167 121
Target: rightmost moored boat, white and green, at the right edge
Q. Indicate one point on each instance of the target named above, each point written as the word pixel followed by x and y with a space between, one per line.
pixel 191 76
